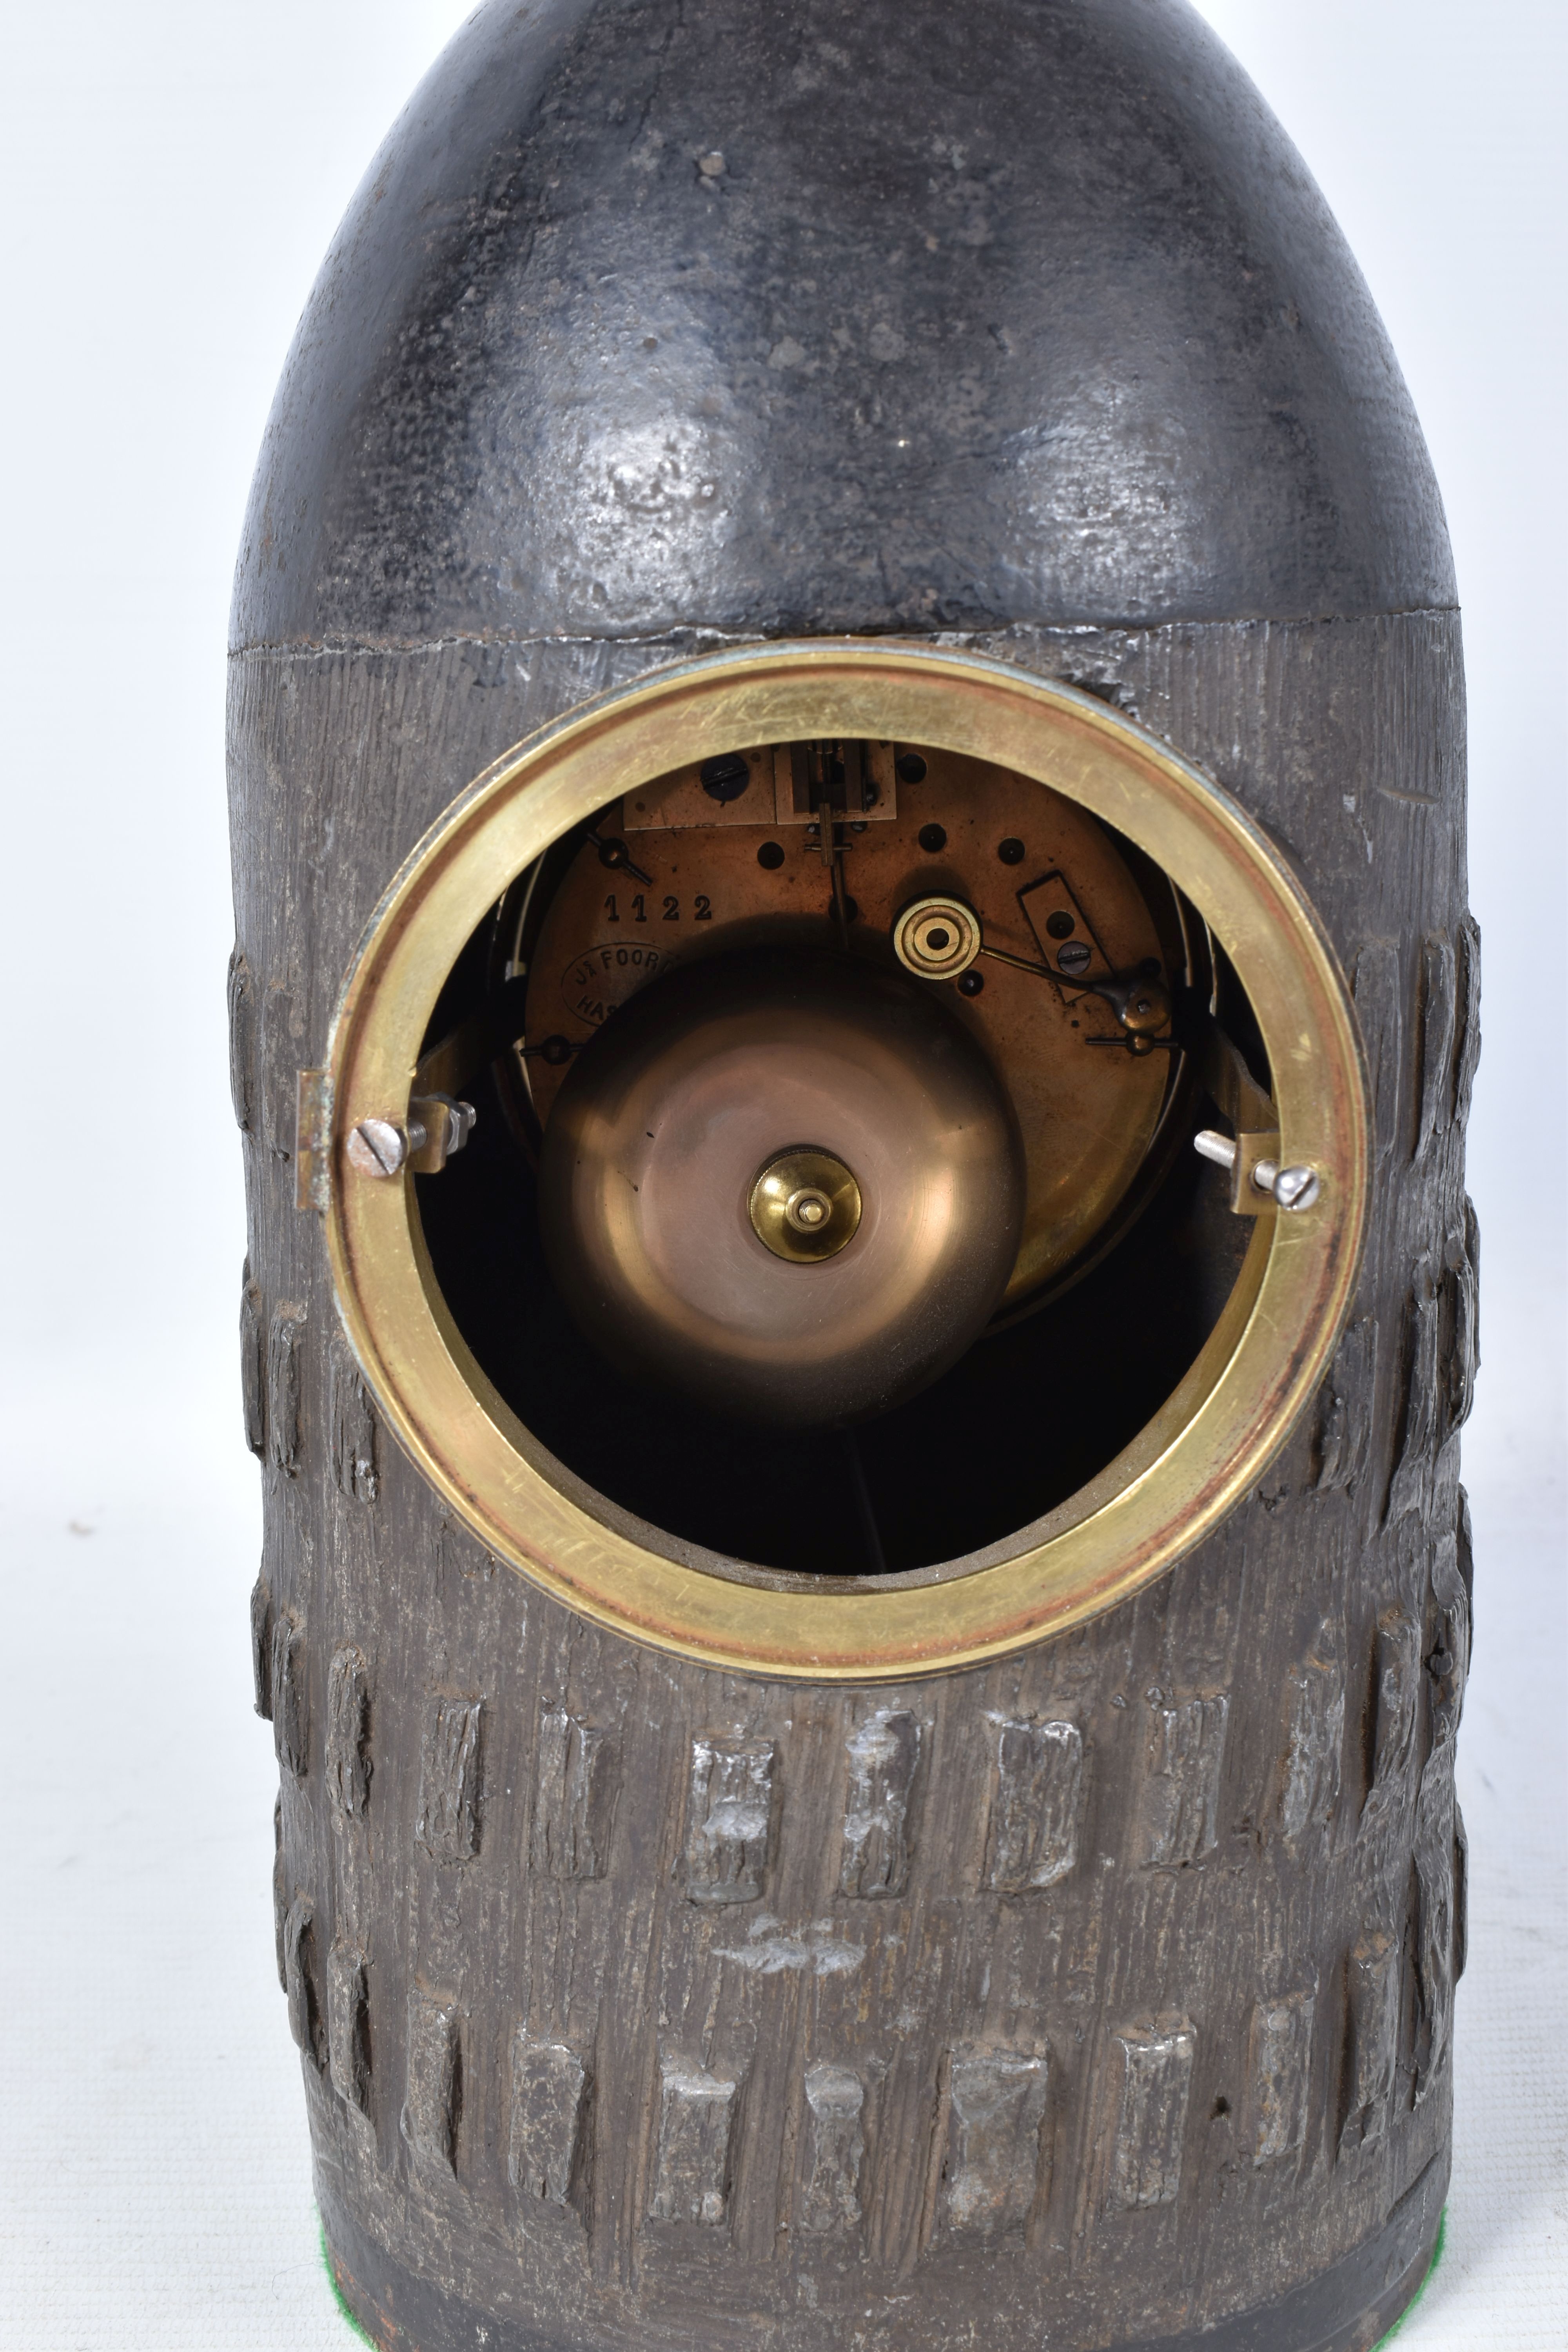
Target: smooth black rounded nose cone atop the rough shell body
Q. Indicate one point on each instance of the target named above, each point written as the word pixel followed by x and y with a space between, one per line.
pixel 713 314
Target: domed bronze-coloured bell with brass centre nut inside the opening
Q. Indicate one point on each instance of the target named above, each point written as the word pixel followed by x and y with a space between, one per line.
pixel 793 1283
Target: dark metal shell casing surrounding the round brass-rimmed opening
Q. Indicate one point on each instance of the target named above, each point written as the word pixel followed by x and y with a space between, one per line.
pixel 1104 1989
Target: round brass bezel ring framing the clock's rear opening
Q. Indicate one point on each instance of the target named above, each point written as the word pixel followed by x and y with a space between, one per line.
pixel 1186 1471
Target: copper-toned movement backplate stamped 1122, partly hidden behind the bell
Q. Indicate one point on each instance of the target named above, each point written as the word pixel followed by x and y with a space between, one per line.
pixel 972 838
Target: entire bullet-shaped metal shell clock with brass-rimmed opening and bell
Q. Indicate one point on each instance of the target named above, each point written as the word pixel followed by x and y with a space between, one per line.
pixel 852 1024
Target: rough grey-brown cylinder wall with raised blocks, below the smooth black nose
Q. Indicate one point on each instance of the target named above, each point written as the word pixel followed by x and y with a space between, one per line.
pixel 808 2109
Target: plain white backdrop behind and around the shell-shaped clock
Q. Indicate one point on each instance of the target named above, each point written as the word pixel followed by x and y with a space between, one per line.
pixel 170 178
